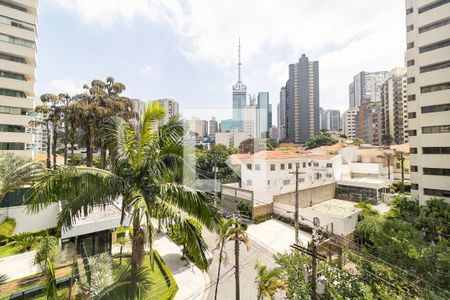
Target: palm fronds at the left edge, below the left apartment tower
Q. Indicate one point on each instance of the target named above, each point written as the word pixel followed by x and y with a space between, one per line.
pixel 16 171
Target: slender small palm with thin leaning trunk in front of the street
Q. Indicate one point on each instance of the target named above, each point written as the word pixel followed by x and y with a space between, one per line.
pixel 228 230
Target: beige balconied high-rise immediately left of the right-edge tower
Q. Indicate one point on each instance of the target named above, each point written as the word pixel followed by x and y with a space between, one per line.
pixel 394 107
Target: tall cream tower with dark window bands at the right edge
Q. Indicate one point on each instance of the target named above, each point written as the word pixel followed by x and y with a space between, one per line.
pixel 428 78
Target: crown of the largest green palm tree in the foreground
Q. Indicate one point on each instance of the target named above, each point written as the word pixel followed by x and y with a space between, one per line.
pixel 146 174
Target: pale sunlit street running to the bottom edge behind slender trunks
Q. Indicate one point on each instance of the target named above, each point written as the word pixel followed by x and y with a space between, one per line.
pixel 248 259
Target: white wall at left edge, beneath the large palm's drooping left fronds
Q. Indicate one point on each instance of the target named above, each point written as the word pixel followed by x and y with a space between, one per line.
pixel 45 219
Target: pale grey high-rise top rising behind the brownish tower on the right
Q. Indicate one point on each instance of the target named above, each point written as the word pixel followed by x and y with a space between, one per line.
pixel 366 87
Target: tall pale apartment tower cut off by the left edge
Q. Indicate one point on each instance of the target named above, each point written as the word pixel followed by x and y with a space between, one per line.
pixel 18 36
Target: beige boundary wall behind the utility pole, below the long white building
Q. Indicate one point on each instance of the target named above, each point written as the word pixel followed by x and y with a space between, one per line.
pixel 316 195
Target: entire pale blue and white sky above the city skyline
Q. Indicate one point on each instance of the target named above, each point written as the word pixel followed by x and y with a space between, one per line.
pixel 187 50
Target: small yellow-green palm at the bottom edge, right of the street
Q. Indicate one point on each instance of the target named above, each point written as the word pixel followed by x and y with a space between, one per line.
pixel 268 281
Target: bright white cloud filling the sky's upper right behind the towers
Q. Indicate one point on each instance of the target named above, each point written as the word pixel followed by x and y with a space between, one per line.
pixel 345 36
